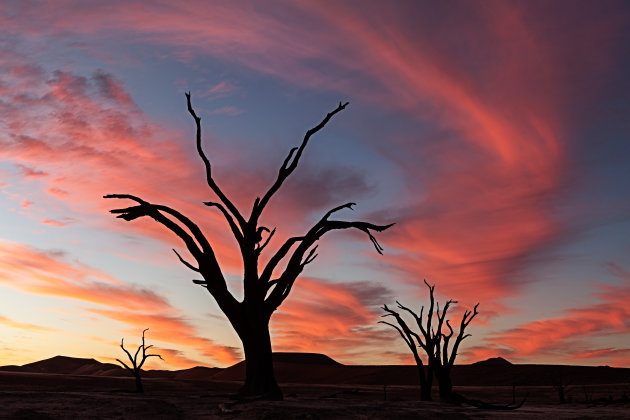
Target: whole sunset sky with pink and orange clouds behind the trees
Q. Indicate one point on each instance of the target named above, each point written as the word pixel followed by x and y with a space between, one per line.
pixel 495 134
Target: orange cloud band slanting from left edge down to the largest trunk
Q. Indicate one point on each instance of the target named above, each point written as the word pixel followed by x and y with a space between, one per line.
pixel 46 273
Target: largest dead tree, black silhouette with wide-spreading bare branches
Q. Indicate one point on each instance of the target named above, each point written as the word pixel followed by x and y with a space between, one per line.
pixel 264 290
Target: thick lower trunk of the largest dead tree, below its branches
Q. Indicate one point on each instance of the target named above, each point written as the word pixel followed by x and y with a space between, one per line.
pixel 260 381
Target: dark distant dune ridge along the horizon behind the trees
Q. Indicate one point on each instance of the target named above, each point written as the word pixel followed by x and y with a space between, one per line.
pixel 315 368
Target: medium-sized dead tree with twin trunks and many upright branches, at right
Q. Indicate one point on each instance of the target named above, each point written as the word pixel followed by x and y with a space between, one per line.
pixel 433 340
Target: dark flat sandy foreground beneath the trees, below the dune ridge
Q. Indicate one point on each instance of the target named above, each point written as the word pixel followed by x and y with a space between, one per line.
pixel 49 396
